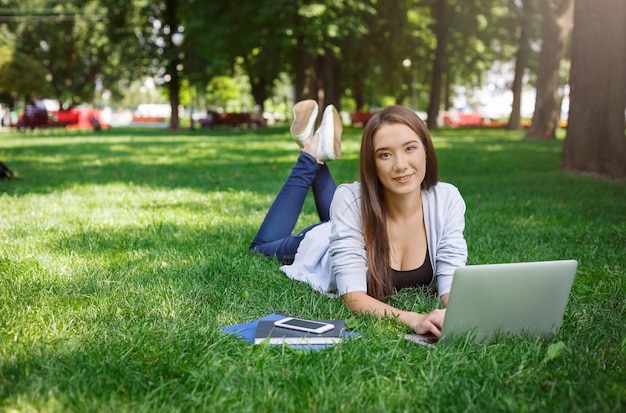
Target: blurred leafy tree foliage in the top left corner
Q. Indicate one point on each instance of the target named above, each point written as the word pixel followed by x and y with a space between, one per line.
pixel 85 45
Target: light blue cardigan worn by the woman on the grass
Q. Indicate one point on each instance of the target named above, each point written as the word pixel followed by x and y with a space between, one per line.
pixel 332 258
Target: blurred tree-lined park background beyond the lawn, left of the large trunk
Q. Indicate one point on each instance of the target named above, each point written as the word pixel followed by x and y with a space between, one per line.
pixel 455 62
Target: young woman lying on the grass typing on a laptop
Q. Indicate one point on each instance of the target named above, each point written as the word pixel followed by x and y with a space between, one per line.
pixel 398 227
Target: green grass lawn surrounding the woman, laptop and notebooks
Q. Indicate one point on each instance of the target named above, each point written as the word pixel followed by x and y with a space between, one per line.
pixel 122 253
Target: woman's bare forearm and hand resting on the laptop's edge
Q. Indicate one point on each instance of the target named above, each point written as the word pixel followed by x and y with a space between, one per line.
pixel 360 302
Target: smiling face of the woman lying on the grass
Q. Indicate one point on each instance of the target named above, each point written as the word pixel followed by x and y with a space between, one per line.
pixel 400 158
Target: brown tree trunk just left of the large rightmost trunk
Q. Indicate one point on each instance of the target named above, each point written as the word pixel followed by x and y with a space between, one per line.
pixel 557 16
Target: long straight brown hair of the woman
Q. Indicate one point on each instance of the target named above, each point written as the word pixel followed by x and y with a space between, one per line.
pixel 373 209
